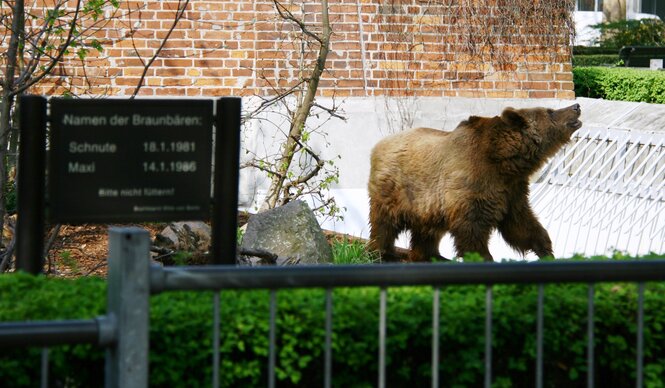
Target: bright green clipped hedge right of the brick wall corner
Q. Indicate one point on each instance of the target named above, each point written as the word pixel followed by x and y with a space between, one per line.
pixel 623 84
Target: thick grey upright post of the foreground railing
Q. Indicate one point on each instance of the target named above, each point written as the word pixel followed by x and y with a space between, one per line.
pixel 128 303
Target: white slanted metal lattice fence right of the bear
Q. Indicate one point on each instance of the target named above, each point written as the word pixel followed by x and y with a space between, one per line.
pixel 605 191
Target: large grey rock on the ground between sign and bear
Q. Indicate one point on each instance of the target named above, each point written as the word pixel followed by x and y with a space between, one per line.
pixel 290 232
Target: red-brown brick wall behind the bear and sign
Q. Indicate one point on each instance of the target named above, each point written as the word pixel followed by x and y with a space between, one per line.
pixel 379 47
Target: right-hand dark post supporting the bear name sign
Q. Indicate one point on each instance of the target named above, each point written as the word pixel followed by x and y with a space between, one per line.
pixel 225 185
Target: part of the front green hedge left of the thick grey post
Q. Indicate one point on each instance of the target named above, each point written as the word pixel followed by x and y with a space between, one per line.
pixel 24 297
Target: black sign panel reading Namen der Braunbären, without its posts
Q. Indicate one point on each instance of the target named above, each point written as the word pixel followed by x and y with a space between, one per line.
pixel 130 161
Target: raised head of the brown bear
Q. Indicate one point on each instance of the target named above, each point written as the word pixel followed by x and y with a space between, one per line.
pixel 525 138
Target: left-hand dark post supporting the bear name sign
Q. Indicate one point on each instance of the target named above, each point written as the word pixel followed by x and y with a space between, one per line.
pixel 31 184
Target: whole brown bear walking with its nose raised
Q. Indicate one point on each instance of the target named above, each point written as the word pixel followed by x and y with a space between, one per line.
pixel 467 182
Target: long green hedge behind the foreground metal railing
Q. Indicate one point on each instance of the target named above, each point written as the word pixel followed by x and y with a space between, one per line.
pixel 180 335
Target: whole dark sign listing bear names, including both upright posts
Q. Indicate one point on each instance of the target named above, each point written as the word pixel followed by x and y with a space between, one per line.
pixel 162 139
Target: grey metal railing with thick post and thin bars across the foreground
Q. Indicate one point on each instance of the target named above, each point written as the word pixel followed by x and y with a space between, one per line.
pixel 131 280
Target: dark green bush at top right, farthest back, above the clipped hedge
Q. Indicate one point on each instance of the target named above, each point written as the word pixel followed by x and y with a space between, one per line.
pixel 644 32
